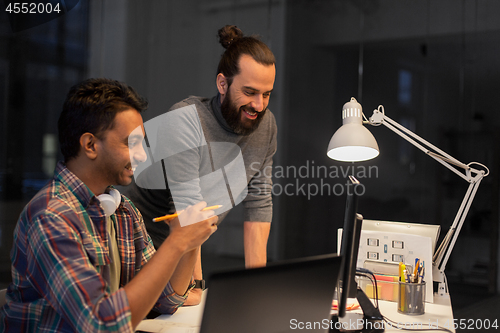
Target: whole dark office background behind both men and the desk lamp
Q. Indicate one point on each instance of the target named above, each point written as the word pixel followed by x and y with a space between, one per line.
pixel 433 64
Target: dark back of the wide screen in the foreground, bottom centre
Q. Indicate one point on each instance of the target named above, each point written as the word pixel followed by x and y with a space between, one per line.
pixel 280 297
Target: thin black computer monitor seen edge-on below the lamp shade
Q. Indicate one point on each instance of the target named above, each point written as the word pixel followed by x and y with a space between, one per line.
pixel 349 252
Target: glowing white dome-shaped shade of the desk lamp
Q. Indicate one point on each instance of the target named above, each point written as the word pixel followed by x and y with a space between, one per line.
pixel 352 143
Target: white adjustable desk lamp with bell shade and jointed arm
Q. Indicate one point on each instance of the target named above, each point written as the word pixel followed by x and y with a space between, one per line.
pixel 353 142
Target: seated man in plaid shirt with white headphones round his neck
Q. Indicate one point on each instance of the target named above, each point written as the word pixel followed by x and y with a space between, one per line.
pixel 79 265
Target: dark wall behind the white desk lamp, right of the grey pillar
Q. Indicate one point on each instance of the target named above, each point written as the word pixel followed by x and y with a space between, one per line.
pixel 451 102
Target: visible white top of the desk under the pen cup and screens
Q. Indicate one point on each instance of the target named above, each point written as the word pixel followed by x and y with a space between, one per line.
pixel 188 319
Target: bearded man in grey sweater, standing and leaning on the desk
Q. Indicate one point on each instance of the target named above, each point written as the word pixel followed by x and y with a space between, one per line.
pixel 238 115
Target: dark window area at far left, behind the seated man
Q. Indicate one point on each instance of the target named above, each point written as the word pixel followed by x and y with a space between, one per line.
pixel 37 68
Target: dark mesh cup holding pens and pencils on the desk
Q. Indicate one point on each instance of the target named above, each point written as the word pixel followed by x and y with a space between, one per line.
pixel 411 298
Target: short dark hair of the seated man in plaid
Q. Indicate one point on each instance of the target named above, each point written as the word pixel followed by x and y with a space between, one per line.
pixel 91 107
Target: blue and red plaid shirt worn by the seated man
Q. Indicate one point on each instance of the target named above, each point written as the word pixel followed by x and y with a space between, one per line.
pixel 60 261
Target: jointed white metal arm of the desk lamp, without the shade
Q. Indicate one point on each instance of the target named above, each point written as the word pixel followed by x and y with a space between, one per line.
pixel 473 176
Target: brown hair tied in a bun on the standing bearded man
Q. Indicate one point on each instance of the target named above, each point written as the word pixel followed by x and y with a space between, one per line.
pixel 236 44
